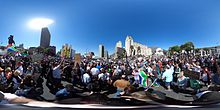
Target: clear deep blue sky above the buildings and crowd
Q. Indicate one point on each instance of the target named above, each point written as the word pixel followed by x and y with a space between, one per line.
pixel 87 23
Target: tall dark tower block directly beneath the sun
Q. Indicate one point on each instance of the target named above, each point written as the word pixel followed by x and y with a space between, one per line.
pixel 45 37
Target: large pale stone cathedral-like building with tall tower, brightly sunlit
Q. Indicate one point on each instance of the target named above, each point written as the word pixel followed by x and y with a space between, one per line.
pixel 133 48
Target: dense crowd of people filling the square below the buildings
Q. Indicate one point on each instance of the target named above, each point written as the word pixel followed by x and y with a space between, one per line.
pixel 23 77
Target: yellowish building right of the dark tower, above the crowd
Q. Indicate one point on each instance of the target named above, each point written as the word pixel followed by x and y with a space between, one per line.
pixel 67 51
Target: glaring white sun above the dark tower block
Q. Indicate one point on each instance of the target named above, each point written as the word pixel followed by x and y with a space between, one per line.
pixel 38 23
